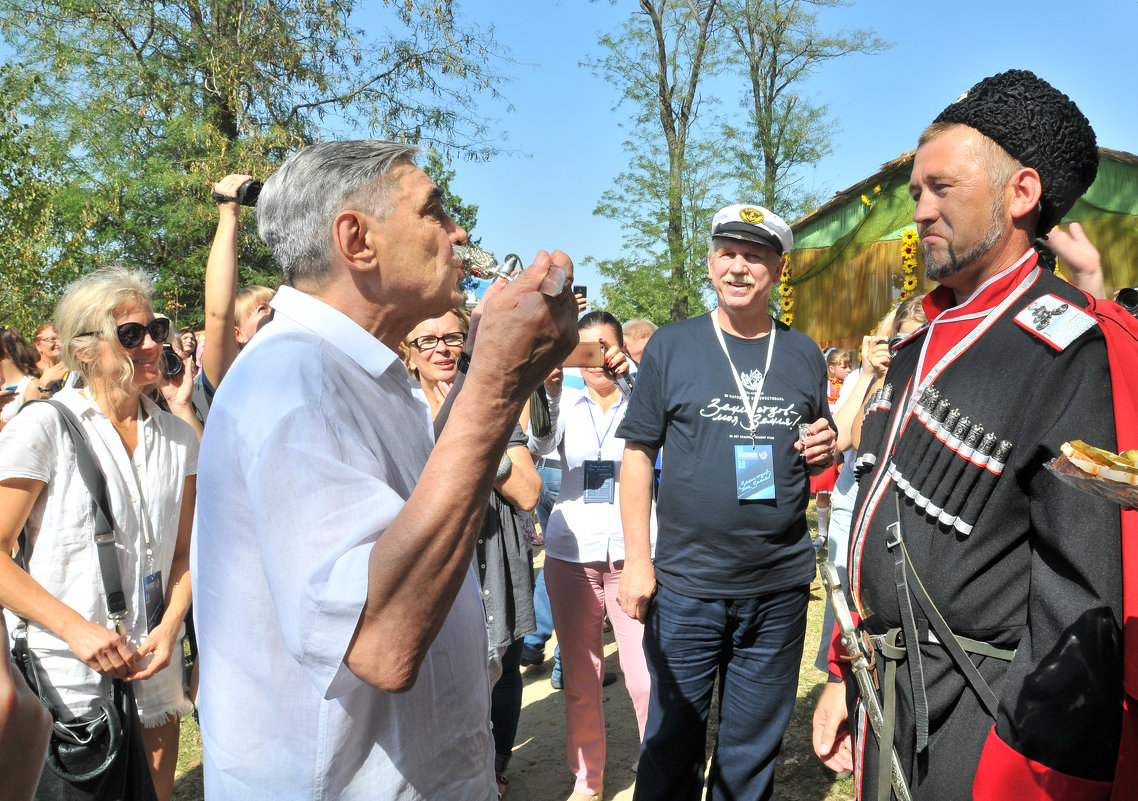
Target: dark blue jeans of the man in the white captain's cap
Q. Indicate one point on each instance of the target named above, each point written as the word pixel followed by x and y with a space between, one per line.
pixel 754 648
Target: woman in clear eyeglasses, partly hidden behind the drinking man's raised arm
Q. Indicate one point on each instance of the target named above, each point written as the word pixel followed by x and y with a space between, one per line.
pixel 504 560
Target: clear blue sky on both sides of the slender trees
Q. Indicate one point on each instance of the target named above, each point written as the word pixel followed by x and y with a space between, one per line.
pixel 567 138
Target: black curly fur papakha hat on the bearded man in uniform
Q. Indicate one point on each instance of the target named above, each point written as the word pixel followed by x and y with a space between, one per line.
pixel 1041 128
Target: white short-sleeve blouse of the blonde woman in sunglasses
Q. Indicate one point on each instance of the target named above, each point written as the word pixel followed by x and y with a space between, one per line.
pixel 146 499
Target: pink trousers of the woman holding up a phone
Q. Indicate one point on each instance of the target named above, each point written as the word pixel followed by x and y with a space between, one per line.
pixel 579 596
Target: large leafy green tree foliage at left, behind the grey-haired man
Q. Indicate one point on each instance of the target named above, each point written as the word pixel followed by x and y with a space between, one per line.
pixel 139 108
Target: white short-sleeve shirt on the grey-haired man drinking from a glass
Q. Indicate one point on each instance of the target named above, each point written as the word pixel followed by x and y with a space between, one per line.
pixel 315 444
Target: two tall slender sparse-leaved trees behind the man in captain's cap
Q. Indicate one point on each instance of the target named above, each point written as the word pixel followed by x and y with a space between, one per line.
pixel 683 163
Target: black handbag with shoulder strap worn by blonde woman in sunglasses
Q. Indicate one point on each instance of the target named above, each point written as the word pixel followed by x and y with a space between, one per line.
pixel 100 757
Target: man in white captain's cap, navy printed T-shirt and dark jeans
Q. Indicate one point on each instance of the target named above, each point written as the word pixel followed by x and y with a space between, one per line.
pixel 727 598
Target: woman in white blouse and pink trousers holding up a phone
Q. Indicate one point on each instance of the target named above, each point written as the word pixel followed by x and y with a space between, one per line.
pixel 586 554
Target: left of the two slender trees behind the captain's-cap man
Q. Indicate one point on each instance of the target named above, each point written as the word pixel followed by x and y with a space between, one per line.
pixel 657 61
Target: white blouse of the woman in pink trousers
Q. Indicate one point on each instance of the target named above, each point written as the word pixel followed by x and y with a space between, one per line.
pixel 581 532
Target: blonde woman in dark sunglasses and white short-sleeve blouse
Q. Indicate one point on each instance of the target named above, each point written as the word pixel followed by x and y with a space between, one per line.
pixel 150 463
